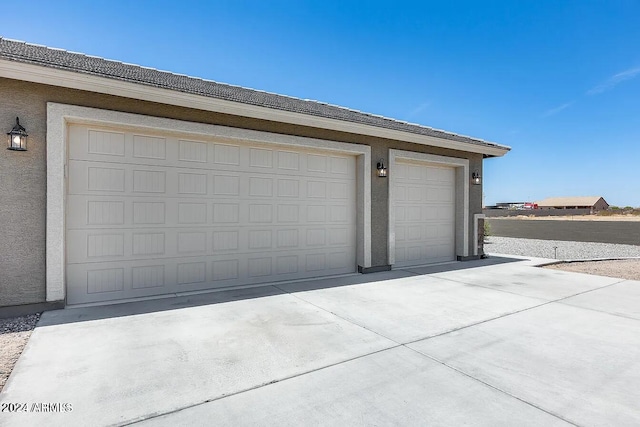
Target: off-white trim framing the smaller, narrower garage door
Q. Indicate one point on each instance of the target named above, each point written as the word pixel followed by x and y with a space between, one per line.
pixel 462 196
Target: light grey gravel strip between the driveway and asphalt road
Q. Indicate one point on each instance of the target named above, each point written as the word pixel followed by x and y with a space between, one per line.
pixel 563 251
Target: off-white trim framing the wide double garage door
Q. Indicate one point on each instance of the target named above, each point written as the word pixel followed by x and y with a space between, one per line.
pixel 60 115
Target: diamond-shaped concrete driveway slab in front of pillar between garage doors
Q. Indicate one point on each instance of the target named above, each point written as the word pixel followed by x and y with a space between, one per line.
pixel 414 307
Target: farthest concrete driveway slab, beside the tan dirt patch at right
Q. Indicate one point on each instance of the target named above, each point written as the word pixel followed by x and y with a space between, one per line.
pixel 522 279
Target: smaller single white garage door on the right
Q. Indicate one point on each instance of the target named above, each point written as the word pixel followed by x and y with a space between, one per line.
pixel 424 203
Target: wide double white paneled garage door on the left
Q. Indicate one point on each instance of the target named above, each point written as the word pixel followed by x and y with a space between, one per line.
pixel 159 214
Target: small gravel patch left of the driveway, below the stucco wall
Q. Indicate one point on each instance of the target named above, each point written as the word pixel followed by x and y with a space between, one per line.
pixel 14 334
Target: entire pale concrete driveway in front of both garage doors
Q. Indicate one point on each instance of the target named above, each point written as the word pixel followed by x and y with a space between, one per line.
pixel 491 342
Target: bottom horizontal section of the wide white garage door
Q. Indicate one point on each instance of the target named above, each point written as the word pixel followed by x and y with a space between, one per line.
pixel 106 281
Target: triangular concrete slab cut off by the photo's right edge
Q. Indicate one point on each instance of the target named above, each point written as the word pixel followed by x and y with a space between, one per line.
pixel 622 299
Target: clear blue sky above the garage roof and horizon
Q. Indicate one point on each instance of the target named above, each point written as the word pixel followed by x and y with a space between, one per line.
pixel 558 81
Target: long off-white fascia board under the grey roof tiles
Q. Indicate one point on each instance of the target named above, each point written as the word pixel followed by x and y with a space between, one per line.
pixel 91 83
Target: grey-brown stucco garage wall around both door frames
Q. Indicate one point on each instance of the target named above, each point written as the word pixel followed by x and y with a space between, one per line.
pixel 23 176
